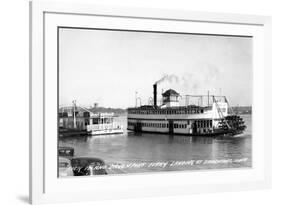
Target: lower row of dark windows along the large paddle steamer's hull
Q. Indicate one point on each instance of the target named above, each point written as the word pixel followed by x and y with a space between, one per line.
pixel 198 123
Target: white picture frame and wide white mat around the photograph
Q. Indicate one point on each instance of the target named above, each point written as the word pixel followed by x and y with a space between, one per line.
pixel 45 187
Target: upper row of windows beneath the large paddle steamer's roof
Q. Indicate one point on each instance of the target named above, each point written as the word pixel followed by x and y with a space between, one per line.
pixel 166 112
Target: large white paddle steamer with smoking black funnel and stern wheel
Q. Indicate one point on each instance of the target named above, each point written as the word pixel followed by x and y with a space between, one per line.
pixel 215 118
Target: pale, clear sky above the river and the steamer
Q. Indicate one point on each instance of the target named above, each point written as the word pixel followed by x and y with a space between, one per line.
pixel 109 67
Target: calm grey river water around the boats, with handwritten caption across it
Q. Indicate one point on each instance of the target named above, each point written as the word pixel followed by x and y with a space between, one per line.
pixel 137 153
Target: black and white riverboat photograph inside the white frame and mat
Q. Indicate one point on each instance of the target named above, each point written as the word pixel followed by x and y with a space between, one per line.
pixel 138 102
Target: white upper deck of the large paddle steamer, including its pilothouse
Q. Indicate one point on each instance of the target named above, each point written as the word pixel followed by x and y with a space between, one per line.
pixel 176 106
